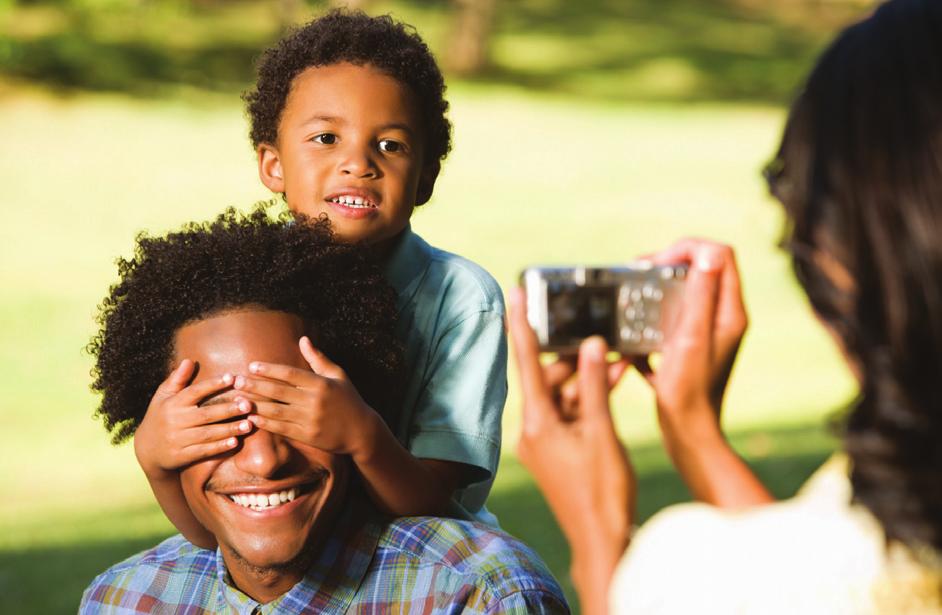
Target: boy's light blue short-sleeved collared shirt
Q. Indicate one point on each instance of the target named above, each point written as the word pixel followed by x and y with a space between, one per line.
pixel 451 324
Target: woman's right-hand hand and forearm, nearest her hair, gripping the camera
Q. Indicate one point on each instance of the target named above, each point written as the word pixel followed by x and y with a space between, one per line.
pixel 696 362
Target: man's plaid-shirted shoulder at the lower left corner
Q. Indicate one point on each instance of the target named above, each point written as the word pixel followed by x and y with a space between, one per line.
pixel 149 577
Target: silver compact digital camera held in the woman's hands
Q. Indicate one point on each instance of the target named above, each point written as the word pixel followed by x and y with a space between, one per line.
pixel 633 307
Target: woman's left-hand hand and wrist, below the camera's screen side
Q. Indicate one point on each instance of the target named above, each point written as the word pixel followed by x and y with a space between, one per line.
pixel 569 444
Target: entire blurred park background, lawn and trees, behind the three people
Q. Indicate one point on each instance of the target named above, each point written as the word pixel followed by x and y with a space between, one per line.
pixel 587 131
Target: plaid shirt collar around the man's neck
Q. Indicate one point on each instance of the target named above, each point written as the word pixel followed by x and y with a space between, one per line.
pixel 332 580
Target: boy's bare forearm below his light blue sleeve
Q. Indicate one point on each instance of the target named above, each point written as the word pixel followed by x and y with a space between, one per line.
pixel 399 483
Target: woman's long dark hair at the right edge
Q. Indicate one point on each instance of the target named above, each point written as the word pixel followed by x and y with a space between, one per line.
pixel 859 173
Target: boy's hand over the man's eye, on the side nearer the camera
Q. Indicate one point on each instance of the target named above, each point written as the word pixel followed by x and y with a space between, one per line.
pixel 320 407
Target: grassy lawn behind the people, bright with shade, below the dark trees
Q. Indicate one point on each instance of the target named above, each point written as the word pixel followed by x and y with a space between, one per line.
pixel 532 179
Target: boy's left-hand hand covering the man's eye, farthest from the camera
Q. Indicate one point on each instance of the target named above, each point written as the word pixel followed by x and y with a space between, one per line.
pixel 176 431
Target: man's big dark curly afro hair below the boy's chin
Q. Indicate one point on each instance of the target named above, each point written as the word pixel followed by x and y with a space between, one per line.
pixel 235 261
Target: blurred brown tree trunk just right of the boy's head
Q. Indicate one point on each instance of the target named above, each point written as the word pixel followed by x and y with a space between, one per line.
pixel 468 52
